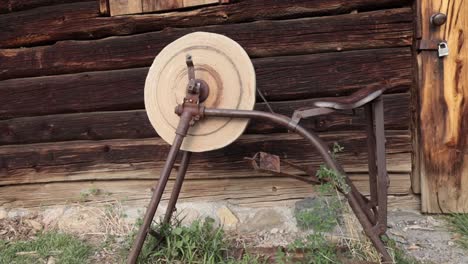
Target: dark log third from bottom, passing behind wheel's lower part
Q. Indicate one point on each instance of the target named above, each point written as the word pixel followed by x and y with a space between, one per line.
pixel 135 124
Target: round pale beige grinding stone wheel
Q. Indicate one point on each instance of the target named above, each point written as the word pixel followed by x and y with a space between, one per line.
pixel 230 75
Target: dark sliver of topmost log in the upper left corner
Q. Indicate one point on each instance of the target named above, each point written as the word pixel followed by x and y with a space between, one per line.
pixel 7 6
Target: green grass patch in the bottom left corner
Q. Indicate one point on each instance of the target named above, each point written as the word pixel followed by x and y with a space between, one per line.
pixel 63 248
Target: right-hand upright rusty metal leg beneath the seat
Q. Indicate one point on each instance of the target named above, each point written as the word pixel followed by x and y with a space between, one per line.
pixel 382 177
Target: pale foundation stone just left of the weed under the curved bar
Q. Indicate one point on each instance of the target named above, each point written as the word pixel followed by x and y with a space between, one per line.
pixel 265 219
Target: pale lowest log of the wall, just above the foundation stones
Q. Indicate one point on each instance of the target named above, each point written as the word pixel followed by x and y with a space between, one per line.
pixel 253 192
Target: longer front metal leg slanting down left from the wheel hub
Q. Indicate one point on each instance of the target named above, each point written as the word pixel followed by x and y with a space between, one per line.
pixel 158 192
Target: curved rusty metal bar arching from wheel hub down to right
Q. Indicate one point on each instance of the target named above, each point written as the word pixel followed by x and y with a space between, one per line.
pixel 354 197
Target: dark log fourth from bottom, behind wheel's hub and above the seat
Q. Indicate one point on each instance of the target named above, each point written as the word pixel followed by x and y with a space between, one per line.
pixel 305 76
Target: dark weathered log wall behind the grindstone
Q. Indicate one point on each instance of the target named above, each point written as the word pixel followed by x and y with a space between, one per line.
pixel 71 95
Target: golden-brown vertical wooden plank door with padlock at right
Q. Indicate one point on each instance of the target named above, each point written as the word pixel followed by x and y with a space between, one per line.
pixel 443 113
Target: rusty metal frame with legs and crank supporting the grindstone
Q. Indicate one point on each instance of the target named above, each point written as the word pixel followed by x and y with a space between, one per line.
pixel 371 213
